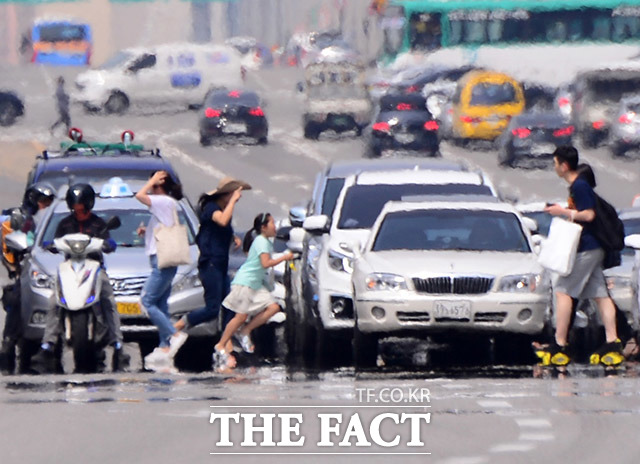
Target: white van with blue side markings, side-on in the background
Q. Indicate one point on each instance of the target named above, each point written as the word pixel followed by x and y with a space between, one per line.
pixel 173 74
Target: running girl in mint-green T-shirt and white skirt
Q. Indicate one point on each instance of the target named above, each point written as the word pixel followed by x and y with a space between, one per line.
pixel 250 294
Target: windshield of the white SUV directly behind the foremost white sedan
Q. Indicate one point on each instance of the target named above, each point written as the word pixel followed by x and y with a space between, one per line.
pixel 363 203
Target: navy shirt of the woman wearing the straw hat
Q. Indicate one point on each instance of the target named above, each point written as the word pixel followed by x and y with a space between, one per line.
pixel 213 239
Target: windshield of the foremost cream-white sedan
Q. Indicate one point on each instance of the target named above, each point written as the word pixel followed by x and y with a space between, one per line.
pixel 442 229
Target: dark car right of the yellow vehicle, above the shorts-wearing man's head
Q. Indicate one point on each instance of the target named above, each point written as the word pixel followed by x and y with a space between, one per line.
pixel 531 138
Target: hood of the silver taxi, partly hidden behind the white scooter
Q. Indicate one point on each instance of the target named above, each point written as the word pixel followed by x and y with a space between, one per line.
pixel 125 262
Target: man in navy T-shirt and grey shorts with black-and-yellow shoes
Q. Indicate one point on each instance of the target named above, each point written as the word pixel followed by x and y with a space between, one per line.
pixel 586 280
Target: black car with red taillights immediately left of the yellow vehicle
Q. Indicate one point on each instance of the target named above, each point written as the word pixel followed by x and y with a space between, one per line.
pixel 403 122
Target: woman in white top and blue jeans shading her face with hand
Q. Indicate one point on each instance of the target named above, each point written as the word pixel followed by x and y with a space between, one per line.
pixel 163 204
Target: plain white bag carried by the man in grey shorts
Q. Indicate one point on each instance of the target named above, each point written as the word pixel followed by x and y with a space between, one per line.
pixel 558 251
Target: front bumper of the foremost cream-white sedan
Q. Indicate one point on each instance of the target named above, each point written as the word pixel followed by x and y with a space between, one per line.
pixel 489 313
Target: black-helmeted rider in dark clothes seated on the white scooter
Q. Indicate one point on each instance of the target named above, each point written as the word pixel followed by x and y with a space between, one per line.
pixel 80 200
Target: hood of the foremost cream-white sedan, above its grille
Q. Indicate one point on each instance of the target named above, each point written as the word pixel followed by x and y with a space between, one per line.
pixel 411 263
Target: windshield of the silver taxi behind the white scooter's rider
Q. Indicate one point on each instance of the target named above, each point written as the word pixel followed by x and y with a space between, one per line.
pixel 126 235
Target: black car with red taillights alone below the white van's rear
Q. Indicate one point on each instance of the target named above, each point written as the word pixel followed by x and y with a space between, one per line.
pixel 232 113
